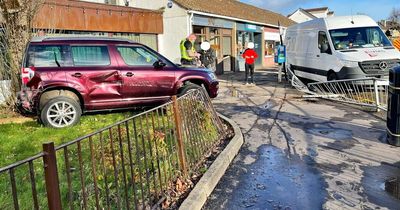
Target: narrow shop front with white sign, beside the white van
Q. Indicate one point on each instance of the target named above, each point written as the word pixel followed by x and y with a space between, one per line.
pixel 272 39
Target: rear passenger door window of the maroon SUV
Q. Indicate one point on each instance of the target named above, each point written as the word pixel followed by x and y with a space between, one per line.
pixel 90 55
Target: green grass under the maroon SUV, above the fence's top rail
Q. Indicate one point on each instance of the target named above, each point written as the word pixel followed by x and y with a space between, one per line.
pixel 21 140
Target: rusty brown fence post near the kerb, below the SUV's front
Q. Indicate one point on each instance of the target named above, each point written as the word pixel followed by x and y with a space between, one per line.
pixel 179 136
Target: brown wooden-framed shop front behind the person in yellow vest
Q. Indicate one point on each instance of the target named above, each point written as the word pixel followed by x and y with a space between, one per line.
pixel 220 34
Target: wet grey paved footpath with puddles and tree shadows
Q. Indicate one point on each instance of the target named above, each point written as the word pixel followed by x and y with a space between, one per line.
pixel 302 154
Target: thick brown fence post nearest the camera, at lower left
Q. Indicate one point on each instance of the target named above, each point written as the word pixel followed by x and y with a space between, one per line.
pixel 51 176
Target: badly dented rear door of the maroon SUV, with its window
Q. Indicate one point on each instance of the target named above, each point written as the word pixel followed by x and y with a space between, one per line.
pixel 96 75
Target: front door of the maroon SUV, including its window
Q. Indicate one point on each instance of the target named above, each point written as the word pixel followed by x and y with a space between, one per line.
pixel 141 79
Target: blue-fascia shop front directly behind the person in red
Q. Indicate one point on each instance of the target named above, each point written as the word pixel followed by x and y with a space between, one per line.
pixel 249 33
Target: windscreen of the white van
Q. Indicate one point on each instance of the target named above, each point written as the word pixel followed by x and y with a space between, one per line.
pixel 363 37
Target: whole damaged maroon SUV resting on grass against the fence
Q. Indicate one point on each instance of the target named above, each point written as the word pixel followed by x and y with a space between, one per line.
pixel 65 77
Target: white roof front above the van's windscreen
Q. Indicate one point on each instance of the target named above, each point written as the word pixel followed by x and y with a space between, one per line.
pixel 354 21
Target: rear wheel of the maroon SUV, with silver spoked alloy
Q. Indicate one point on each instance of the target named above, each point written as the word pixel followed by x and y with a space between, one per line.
pixel 60 112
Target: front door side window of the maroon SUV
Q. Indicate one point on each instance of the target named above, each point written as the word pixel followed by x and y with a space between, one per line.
pixel 137 56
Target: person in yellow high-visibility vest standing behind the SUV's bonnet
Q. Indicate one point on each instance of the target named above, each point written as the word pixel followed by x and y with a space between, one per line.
pixel 188 51
